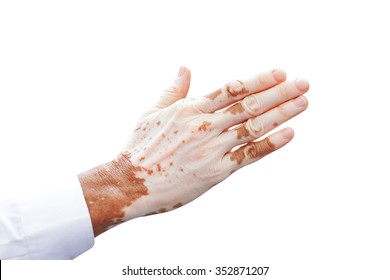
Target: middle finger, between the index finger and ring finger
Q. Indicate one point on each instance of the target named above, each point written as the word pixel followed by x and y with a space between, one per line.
pixel 257 104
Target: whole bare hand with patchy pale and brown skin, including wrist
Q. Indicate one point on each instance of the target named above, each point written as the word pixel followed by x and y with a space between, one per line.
pixel 182 147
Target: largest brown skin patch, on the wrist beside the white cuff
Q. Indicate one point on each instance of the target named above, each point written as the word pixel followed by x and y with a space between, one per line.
pixel 116 181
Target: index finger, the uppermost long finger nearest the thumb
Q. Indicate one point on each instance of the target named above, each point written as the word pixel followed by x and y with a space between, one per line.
pixel 238 89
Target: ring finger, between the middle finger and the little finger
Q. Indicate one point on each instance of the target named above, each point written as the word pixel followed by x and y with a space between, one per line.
pixel 258 126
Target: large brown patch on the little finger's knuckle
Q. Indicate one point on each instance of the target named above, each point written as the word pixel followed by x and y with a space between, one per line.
pixel 253 150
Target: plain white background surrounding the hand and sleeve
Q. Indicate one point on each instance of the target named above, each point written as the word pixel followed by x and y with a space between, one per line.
pixel 76 75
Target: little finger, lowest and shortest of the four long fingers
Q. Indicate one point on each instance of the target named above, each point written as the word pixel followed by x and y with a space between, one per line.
pixel 253 151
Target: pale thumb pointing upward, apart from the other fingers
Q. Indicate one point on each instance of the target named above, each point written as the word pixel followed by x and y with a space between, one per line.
pixel 177 90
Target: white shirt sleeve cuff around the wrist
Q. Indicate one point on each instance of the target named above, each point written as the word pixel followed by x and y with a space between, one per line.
pixel 45 224
